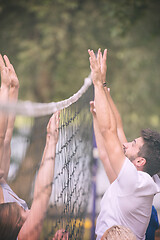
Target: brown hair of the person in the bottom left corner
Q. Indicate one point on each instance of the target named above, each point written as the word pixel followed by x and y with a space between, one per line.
pixel 9 221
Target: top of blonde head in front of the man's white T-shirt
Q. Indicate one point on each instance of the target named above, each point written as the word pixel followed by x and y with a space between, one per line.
pixel 118 232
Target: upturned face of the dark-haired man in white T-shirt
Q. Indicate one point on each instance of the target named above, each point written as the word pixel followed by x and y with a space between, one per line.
pixel 131 149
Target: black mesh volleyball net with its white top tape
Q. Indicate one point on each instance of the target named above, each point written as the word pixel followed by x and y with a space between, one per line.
pixel 72 178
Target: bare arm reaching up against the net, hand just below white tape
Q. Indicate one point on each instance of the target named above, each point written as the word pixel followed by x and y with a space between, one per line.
pixel 32 227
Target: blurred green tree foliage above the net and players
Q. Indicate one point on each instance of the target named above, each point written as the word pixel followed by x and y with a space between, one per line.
pixel 47 42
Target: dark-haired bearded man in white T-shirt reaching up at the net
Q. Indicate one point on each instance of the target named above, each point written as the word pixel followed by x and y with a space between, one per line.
pixel 129 166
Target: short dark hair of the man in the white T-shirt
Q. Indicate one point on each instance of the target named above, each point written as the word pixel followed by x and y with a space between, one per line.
pixel 150 151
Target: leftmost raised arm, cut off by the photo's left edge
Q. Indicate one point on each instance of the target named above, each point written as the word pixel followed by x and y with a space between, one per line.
pixel 4 95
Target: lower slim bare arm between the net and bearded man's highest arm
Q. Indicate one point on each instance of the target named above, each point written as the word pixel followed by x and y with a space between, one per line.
pixel 101 146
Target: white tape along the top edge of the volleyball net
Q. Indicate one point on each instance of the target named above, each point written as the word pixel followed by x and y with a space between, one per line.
pixel 28 108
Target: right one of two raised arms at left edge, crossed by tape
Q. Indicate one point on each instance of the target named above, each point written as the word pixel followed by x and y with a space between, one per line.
pixel 13 96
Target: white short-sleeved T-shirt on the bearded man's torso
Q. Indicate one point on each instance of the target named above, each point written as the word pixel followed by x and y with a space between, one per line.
pixel 128 202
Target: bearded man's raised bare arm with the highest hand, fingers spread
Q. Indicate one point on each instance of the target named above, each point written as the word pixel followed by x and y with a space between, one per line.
pixel 105 116
